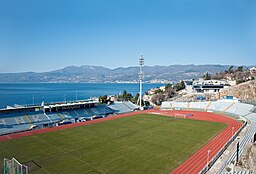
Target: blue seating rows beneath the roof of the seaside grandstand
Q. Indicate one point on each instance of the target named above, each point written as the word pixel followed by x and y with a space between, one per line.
pixel 16 121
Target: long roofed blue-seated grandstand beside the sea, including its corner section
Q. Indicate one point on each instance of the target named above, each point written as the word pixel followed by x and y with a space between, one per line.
pixel 23 119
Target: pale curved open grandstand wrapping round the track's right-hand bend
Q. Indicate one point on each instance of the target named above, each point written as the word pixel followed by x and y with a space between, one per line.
pixel 226 107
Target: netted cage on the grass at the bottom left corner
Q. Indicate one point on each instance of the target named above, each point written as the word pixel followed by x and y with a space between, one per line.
pixel 13 166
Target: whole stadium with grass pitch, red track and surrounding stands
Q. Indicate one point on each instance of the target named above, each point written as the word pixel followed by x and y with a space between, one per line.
pixel 88 137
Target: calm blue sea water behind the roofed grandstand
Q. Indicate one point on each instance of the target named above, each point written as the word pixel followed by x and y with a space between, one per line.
pixel 35 93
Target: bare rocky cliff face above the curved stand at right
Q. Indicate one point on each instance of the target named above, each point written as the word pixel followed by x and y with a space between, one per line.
pixel 246 92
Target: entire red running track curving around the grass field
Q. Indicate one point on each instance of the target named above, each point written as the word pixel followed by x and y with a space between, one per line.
pixel 194 164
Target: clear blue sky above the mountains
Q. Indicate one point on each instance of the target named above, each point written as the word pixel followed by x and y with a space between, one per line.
pixel 43 35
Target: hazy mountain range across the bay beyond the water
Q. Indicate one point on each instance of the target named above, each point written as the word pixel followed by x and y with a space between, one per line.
pixel 99 74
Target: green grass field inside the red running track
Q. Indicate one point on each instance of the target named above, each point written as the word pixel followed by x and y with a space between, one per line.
pixel 138 144
